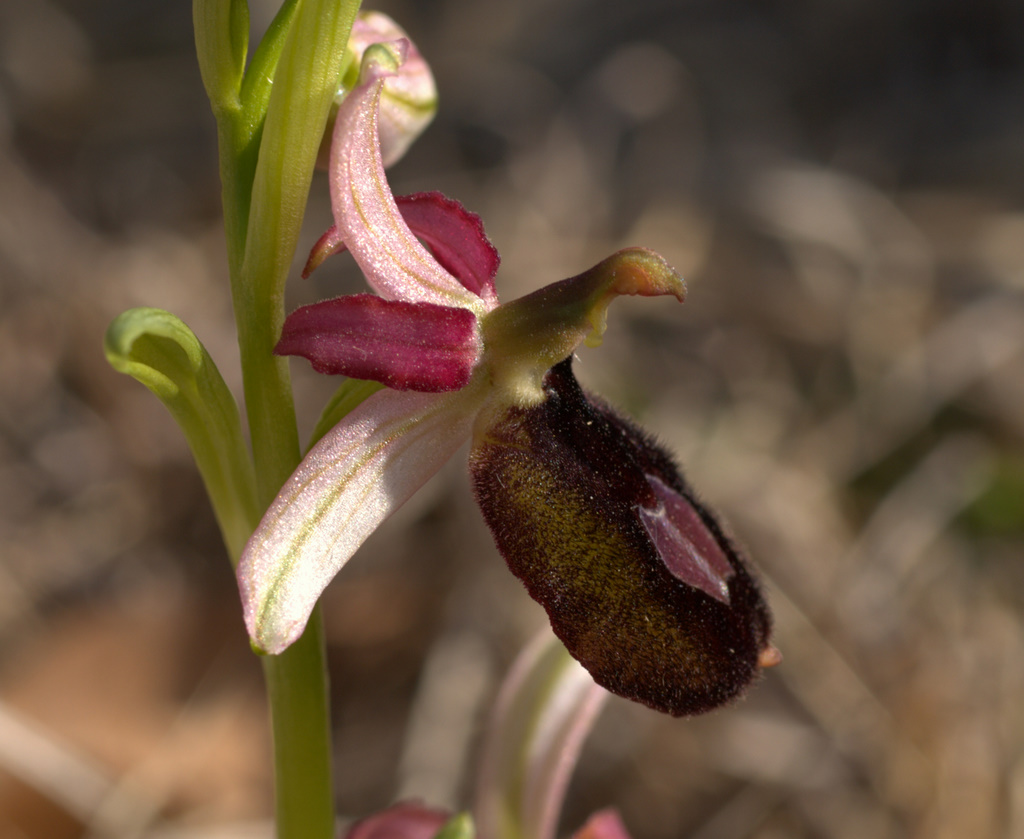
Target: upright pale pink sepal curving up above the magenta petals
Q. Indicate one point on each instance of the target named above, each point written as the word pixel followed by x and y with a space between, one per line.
pixel 395 263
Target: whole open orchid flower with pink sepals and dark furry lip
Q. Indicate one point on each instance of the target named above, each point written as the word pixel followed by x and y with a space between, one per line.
pixel 638 578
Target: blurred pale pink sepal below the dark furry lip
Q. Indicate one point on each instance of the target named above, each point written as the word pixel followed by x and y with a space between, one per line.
pixel 545 710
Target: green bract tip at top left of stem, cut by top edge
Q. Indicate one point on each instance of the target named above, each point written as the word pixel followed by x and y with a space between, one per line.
pixel 222 43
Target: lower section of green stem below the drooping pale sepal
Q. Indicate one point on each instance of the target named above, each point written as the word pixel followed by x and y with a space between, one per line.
pixel 297 690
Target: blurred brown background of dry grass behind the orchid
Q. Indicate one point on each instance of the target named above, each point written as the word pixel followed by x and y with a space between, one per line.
pixel 843 187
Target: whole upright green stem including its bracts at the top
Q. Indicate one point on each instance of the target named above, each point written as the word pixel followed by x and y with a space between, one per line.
pixel 270 134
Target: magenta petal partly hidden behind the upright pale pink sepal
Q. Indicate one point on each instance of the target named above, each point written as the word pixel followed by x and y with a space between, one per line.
pixel 456 238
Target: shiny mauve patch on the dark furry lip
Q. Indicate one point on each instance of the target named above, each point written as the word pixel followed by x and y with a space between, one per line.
pixel 685 543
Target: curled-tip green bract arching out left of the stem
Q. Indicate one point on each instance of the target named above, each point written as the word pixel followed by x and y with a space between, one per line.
pixel 158 350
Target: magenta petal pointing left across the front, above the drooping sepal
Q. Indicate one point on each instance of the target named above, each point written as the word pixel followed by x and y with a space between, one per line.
pixel 407 347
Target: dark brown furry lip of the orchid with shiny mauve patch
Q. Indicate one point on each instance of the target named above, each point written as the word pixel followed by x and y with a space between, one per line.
pixel 637 577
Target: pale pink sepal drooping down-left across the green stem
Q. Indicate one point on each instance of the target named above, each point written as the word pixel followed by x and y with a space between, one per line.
pixel 361 473
